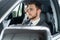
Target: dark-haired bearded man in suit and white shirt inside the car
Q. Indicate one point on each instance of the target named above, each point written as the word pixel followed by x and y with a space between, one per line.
pixel 33 11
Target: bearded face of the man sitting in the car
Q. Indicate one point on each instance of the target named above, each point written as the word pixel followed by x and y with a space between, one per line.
pixel 31 11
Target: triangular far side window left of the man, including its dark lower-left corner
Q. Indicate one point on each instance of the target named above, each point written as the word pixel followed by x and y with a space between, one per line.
pixel 16 12
